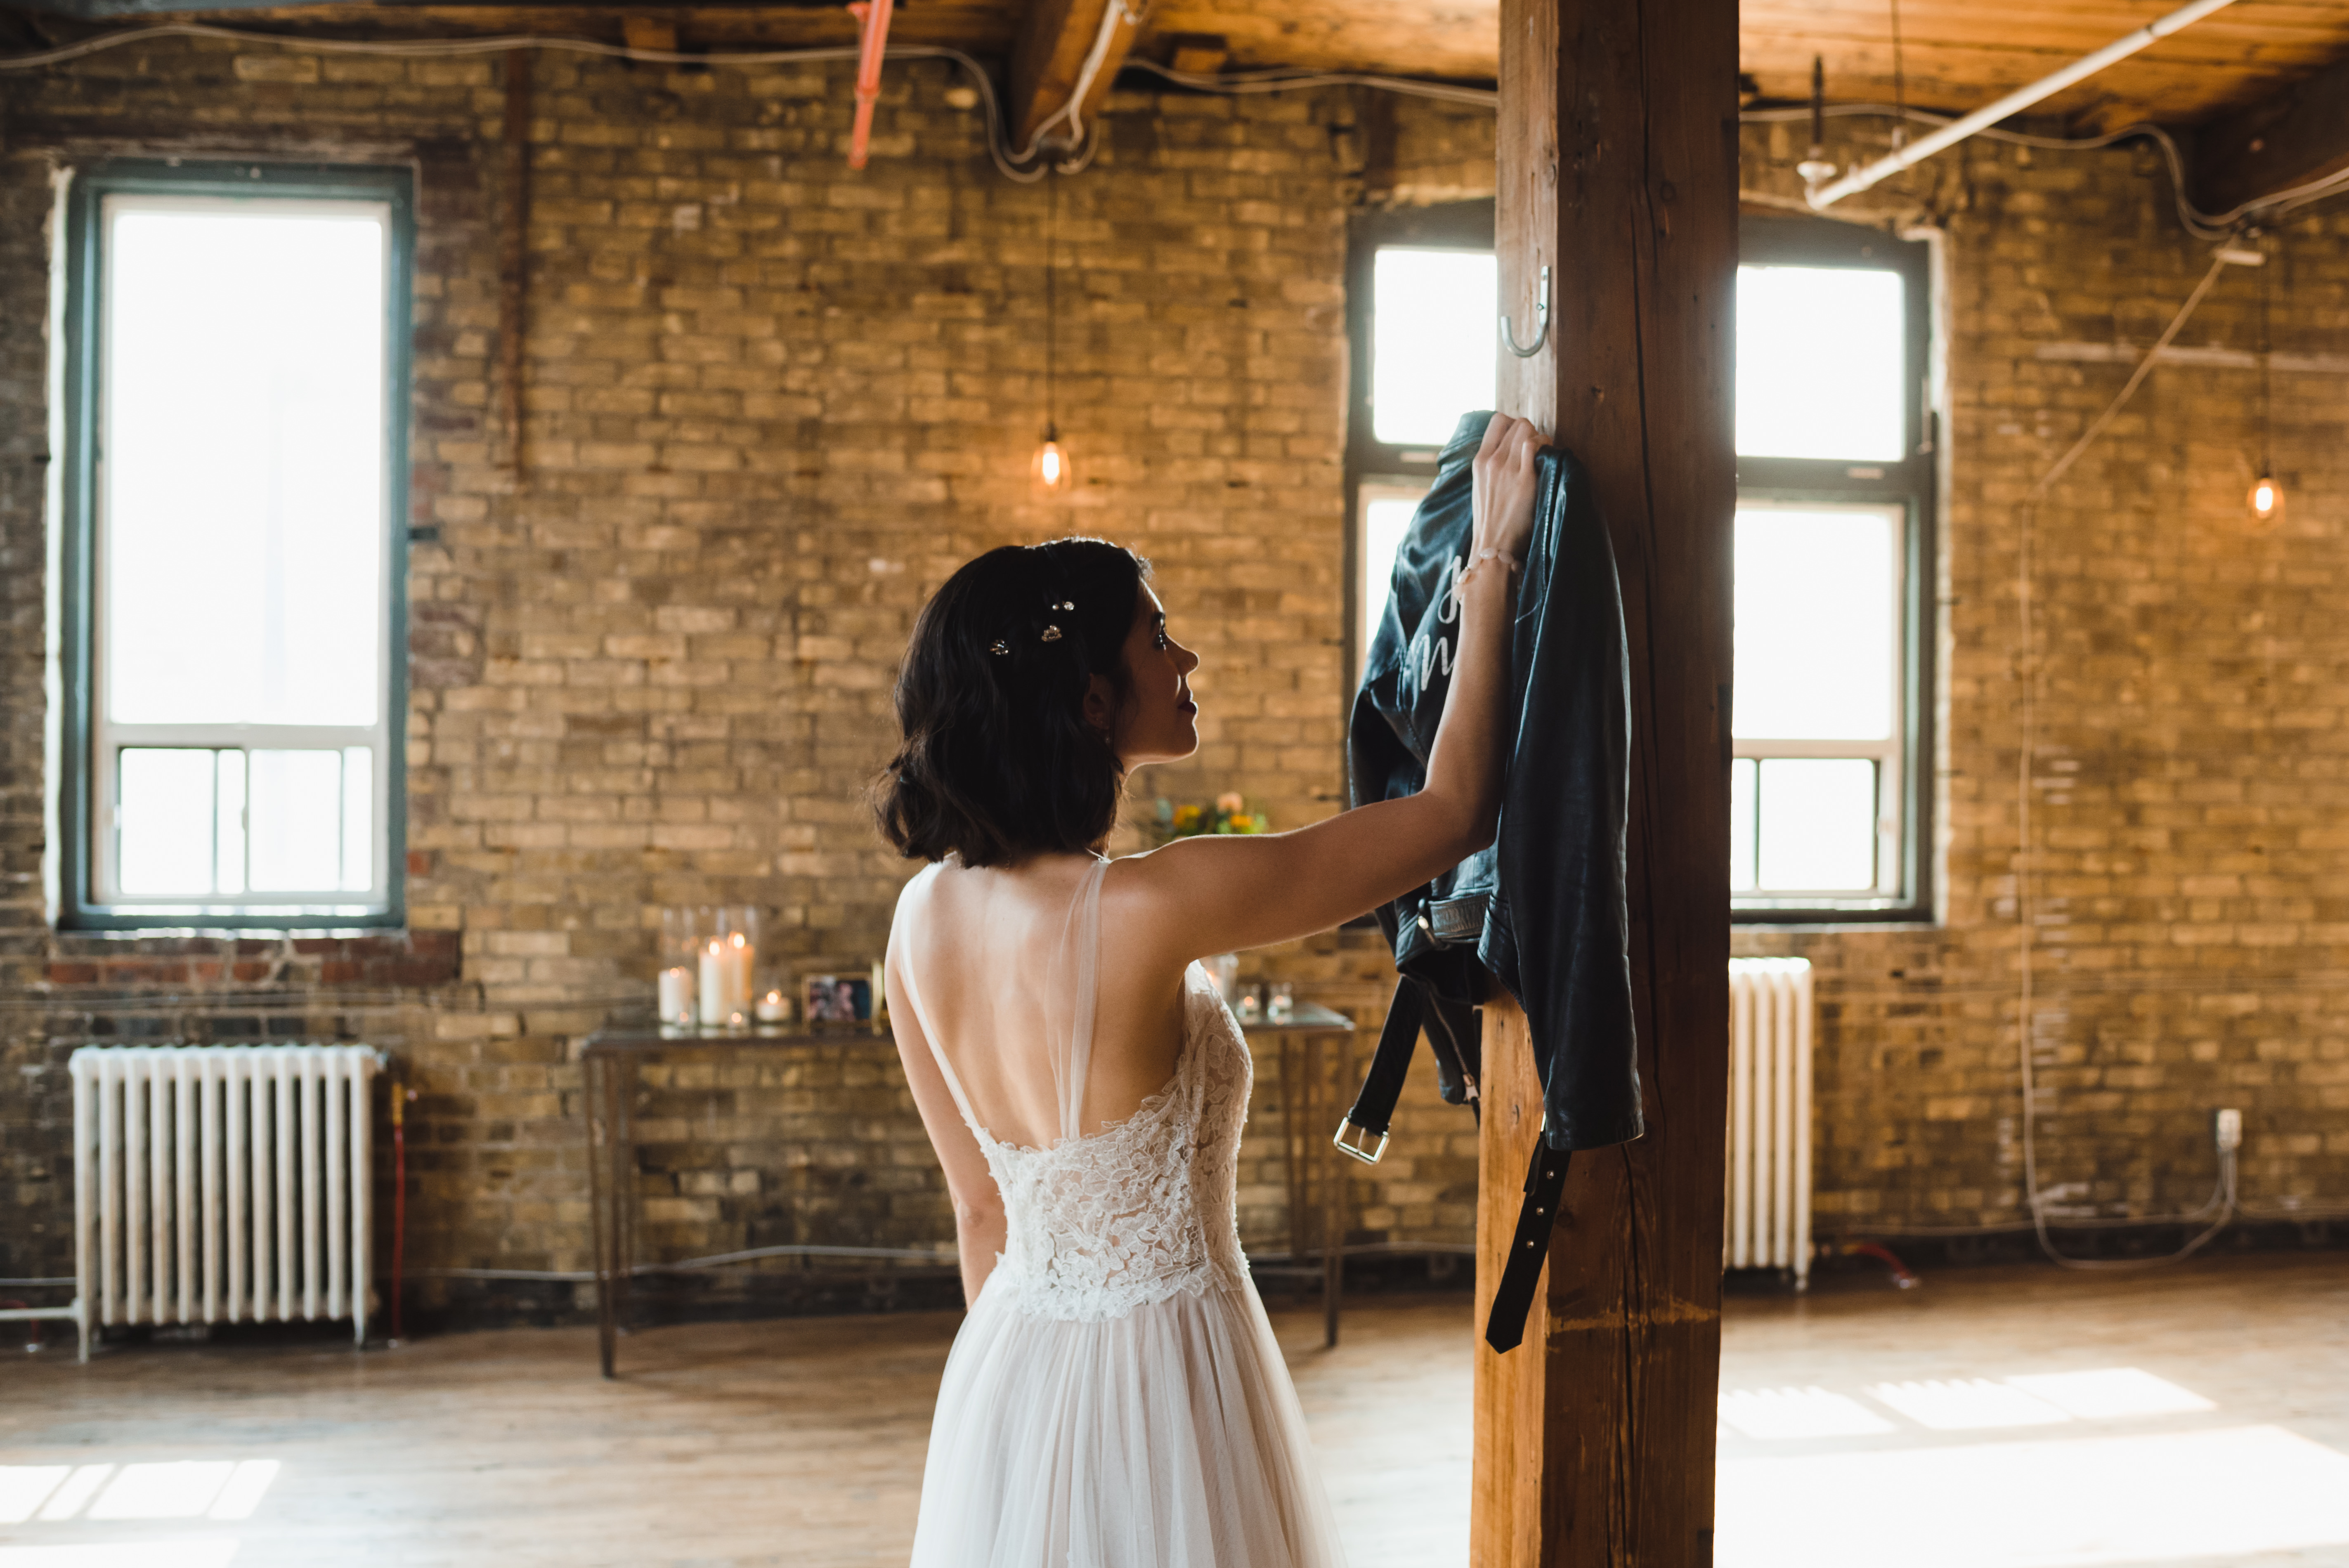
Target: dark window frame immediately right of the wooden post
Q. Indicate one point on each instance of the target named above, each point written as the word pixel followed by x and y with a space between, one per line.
pixel 1909 485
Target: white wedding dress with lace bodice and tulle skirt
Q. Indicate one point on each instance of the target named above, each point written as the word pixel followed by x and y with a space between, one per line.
pixel 1117 1398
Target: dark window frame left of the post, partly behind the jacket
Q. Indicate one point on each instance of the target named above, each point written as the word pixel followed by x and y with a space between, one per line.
pixel 1373 464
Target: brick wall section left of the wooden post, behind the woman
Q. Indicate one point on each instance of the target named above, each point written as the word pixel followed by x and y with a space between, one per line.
pixel 769 407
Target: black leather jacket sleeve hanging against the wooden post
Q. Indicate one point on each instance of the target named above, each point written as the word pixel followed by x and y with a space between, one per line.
pixel 1561 933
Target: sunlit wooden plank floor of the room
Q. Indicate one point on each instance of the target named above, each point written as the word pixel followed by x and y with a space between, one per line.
pixel 1993 1419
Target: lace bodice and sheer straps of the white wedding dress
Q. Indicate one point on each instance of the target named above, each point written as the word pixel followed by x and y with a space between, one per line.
pixel 1138 1210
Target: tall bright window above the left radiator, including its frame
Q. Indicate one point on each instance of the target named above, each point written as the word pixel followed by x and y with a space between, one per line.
pixel 234 546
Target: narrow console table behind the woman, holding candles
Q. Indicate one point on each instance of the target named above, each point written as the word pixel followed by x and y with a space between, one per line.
pixel 610 1060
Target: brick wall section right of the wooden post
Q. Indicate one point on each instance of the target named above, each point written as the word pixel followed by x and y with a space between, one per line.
pixel 2190 776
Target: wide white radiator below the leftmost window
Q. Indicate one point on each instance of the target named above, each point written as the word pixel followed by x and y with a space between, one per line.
pixel 220 1184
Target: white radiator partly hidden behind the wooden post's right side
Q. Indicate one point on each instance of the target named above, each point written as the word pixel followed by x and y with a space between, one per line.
pixel 1770 1116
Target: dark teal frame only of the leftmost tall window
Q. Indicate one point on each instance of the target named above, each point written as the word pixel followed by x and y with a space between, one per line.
pixel 83 773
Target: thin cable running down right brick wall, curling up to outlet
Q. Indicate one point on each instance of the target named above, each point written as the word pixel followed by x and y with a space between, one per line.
pixel 2223 1198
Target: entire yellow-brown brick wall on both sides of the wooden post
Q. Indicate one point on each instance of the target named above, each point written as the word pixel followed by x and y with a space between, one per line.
pixel 772 405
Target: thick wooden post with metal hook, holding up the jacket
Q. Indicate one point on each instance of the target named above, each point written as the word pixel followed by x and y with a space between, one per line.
pixel 1617 170
